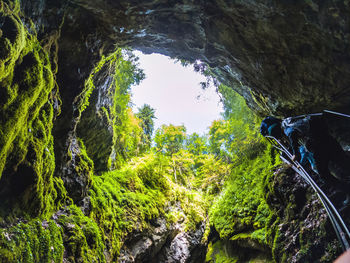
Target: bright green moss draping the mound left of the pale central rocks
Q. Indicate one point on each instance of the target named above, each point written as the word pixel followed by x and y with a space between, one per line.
pixel 125 200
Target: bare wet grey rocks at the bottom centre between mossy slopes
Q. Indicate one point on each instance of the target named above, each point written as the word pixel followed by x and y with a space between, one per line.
pixel 162 243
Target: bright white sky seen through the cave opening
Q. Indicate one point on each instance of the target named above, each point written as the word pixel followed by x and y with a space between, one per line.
pixel 172 90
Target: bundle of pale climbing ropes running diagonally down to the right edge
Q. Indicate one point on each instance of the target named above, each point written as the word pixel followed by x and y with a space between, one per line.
pixel 338 224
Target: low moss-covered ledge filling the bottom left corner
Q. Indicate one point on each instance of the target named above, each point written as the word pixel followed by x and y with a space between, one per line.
pixel 69 232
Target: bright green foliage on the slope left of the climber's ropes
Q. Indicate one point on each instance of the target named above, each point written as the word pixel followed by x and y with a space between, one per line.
pixel 241 204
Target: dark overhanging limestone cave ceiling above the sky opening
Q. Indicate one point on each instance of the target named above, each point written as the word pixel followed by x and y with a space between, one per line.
pixel 285 58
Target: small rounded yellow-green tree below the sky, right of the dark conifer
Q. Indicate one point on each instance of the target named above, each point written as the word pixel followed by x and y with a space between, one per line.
pixel 169 139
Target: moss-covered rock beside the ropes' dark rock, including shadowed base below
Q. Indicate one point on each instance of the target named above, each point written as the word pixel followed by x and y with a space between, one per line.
pixel 240 214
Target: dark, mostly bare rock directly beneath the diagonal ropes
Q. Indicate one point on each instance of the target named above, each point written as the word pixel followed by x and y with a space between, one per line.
pixel 300 230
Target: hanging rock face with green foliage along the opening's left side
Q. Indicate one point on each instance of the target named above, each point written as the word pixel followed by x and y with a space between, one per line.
pixel 108 127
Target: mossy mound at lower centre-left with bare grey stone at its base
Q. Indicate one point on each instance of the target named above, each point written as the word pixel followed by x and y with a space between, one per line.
pixel 141 203
